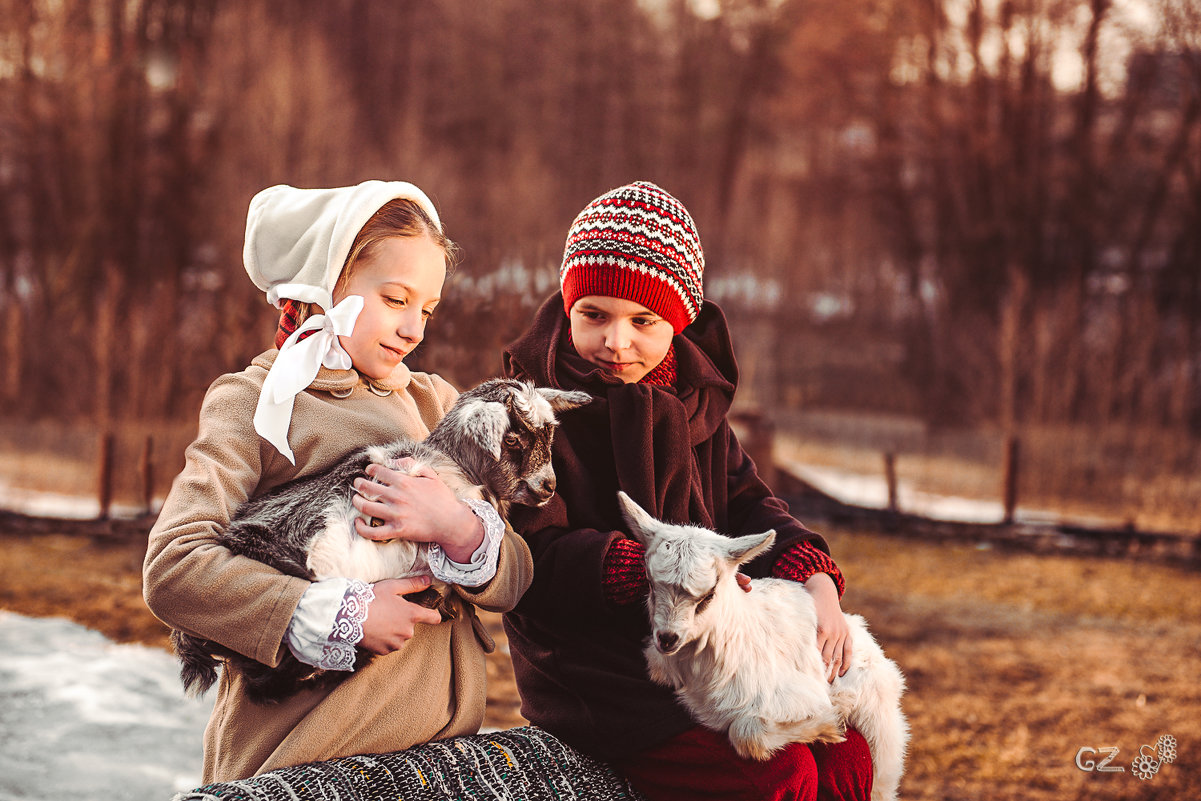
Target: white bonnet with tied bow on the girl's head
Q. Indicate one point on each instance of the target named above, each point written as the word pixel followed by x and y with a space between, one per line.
pixel 297 241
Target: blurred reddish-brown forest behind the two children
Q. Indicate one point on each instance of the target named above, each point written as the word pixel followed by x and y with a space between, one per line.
pixel 936 225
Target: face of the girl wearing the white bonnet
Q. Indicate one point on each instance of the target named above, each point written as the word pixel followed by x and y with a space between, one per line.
pixel 401 283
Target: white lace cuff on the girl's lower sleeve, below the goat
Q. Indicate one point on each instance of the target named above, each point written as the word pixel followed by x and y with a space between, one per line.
pixel 328 623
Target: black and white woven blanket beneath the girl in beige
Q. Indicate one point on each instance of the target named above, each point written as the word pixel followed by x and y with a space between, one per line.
pixel 523 764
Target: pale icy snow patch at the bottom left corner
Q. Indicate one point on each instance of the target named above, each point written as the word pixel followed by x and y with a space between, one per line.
pixel 83 719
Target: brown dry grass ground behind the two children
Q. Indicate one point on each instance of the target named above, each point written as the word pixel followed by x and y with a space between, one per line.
pixel 1015 663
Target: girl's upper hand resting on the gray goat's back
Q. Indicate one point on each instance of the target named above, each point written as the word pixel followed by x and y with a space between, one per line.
pixel 416 507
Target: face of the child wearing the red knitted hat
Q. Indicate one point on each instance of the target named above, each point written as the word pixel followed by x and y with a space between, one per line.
pixel 619 336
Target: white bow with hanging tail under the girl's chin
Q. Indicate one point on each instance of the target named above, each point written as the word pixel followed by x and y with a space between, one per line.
pixel 297 366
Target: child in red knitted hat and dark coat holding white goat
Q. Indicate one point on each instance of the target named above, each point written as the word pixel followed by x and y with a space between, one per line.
pixel 632 328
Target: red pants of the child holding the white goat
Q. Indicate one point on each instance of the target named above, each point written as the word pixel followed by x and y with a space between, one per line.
pixel 702 764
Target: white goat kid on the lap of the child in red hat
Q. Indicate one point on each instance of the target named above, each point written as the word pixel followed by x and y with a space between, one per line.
pixel 748 663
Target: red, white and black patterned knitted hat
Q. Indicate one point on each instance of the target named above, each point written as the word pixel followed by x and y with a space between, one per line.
pixel 636 243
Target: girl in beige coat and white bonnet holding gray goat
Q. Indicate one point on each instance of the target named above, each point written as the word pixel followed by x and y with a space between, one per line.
pixel 373 260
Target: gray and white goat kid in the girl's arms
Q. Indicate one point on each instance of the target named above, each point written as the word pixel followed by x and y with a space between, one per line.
pixel 493 445
